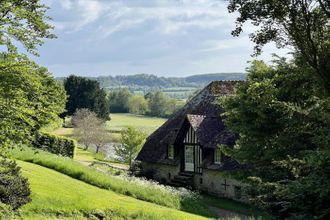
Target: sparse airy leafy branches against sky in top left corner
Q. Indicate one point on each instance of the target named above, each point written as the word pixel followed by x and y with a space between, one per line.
pixel 24 21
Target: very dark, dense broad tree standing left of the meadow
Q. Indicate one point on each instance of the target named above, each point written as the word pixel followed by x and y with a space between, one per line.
pixel 86 93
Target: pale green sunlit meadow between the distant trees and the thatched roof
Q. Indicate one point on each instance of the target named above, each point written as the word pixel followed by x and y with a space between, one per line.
pixel 145 123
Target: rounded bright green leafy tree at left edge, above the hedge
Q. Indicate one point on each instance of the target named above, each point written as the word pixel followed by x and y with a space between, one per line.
pixel 30 98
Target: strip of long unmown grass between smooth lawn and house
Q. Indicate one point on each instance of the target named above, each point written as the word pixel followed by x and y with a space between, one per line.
pixel 143 190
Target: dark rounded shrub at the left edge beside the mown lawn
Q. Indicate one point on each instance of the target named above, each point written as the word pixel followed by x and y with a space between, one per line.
pixel 14 189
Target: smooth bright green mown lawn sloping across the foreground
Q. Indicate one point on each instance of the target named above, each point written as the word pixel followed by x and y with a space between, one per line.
pixel 56 195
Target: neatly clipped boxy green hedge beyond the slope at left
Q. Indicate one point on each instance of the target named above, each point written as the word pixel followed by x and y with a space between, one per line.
pixel 56 144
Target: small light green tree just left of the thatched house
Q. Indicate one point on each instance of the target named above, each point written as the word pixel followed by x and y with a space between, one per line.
pixel 131 143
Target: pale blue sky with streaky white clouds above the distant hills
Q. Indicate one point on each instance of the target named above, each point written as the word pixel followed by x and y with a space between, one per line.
pixel 161 37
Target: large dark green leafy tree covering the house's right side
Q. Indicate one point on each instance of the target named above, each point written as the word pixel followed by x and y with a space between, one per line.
pixel 284 125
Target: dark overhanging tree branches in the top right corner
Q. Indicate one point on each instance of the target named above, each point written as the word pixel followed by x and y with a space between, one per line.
pixel 302 24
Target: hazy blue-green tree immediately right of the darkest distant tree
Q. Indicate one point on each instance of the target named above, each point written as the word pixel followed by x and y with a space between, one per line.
pixel 119 100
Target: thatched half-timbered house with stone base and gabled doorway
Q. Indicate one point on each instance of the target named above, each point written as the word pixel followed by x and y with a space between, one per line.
pixel 185 151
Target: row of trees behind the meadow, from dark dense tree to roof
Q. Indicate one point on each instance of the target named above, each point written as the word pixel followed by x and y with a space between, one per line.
pixel 85 93
